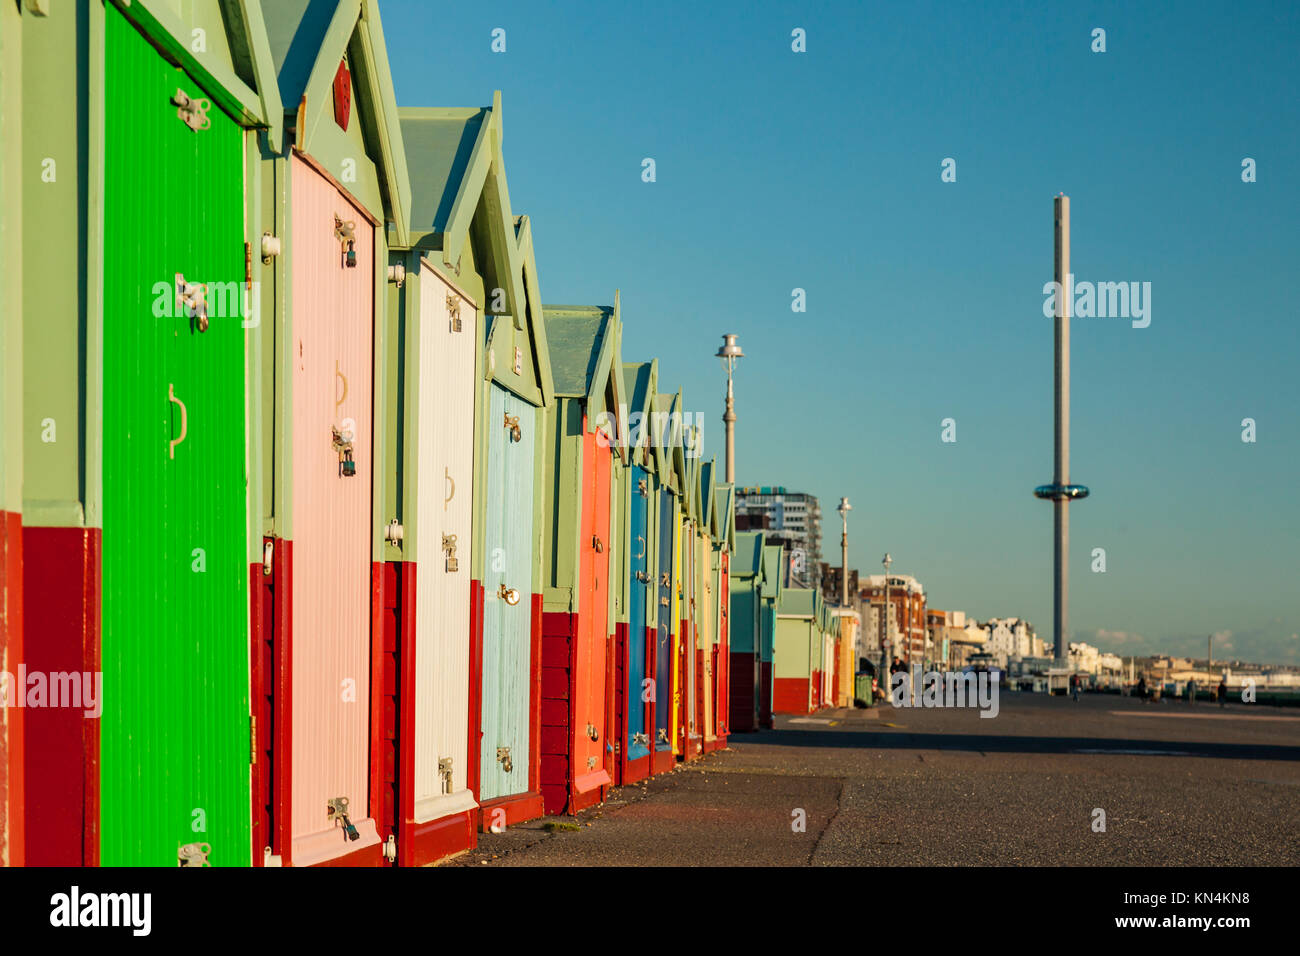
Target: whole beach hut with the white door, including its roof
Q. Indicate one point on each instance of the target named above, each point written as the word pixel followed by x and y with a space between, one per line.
pixel 463 248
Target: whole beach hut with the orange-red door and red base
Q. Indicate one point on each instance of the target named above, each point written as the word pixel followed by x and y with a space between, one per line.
pixel 577 734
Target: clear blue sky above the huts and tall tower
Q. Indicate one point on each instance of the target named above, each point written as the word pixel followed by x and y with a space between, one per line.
pixel 821 171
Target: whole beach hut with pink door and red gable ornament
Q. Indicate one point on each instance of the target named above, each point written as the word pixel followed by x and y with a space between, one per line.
pixel 324 678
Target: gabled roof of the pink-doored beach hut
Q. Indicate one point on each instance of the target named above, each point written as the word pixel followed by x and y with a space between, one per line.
pixel 309 40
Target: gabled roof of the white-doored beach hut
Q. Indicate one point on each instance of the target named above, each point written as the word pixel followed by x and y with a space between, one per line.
pixel 457 167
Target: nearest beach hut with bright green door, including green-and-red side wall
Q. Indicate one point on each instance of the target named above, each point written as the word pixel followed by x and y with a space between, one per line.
pixel 137 353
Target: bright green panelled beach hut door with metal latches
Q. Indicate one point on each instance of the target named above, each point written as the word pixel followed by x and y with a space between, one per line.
pixel 175 728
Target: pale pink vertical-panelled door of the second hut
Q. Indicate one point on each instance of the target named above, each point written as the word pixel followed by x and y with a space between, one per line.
pixel 332 354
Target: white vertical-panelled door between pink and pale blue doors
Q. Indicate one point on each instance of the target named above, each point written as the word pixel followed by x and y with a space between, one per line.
pixel 444 508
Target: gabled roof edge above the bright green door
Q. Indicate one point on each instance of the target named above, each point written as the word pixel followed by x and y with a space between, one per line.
pixel 246 36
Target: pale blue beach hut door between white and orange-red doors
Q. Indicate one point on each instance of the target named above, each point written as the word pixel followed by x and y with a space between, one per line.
pixel 508 596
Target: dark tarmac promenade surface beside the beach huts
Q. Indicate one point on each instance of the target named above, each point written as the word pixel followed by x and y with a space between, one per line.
pixel 1180 785
